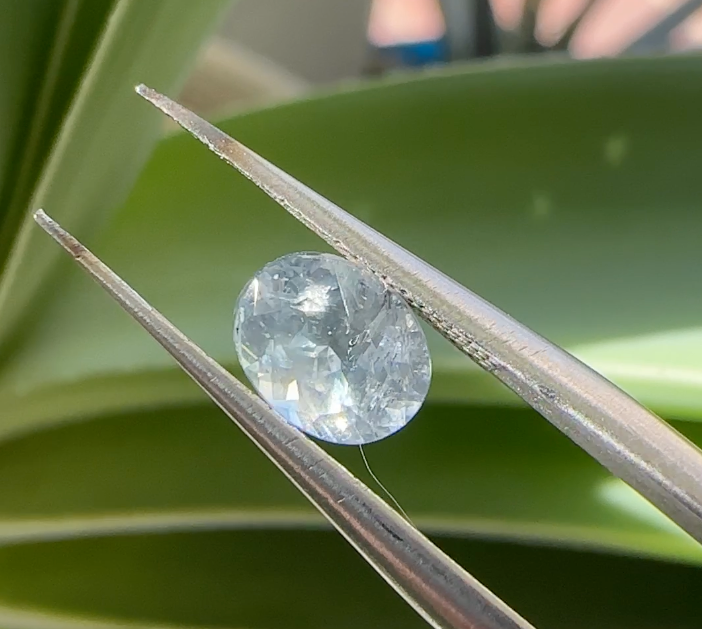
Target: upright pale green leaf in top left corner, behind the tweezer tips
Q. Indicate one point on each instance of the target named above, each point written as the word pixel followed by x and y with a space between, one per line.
pixel 106 133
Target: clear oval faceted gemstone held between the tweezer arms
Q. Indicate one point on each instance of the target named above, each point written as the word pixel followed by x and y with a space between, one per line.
pixel 331 349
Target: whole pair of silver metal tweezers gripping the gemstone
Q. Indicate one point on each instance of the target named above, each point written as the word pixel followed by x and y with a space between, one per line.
pixel 622 435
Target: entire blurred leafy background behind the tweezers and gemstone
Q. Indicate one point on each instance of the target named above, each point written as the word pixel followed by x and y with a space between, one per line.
pixel 546 154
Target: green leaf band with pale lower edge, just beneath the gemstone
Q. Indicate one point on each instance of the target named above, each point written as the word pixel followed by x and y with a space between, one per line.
pixel 496 473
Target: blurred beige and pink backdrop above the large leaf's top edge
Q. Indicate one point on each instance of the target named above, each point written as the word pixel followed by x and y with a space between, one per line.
pixel 277 49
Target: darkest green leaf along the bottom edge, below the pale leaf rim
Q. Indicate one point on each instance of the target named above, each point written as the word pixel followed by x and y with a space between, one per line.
pixel 314 580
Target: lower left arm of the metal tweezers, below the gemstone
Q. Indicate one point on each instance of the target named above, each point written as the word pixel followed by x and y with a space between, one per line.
pixel 440 590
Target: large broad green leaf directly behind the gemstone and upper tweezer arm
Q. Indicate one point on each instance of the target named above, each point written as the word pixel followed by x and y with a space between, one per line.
pixel 576 211
